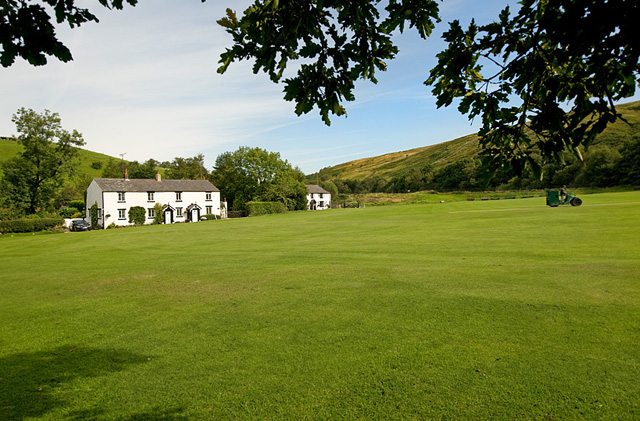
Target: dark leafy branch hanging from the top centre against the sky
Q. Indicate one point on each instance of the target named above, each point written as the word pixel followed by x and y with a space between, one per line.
pixel 336 42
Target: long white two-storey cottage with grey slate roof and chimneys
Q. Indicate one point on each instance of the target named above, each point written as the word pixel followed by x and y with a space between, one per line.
pixel 182 200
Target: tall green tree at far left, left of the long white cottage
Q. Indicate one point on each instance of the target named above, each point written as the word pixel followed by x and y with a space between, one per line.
pixel 33 177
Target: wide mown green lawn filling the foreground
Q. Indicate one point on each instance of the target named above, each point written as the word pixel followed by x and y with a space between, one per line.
pixel 468 310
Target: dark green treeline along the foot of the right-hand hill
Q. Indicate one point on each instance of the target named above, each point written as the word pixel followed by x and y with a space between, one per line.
pixel 602 166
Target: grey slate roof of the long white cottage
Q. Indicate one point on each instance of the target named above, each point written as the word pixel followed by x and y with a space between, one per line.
pixel 144 185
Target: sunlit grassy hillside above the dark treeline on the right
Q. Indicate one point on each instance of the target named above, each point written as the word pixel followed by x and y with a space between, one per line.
pixel 390 165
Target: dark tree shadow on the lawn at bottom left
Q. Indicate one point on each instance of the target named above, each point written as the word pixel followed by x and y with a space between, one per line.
pixel 28 381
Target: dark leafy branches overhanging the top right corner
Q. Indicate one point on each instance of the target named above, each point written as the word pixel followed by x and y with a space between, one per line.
pixel 543 80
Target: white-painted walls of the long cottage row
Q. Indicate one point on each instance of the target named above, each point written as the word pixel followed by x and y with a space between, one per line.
pixel 112 205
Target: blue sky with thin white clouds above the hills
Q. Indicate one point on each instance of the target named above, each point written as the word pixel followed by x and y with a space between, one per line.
pixel 144 83
